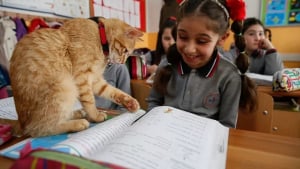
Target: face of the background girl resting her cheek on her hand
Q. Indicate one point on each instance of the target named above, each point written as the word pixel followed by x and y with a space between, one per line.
pixel 253 37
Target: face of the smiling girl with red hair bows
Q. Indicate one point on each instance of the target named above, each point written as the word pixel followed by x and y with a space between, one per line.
pixel 196 41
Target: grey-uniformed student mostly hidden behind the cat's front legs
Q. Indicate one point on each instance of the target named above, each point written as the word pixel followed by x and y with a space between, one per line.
pixel 118 76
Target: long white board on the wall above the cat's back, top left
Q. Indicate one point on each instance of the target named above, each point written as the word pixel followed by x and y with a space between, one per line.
pixel 66 8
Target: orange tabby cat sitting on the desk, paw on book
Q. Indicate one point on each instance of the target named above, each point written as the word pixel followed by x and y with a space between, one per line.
pixel 51 68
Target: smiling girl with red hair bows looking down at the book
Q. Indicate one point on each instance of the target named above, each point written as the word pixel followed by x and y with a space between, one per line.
pixel 194 77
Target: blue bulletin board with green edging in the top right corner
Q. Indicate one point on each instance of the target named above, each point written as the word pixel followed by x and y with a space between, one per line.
pixel 280 12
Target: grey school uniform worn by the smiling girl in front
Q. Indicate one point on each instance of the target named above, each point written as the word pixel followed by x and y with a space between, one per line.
pixel 212 91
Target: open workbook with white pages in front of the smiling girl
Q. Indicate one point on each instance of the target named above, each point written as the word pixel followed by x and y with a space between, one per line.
pixel 162 138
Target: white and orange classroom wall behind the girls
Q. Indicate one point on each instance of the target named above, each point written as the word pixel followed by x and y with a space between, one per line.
pixel 285 39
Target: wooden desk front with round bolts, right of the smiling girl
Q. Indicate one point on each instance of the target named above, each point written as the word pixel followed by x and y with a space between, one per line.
pixel 269 120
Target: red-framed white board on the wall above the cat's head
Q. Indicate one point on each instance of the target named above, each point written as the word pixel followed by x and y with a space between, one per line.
pixel 130 11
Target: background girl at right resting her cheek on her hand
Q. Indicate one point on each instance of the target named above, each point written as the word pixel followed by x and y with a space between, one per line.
pixel 250 38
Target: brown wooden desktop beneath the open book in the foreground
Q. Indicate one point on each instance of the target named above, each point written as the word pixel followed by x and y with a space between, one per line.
pixel 246 150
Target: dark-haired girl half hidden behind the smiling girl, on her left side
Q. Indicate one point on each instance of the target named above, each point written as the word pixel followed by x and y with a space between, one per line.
pixel 164 40
